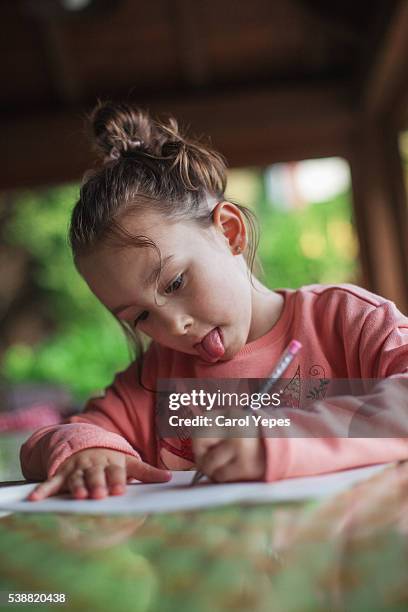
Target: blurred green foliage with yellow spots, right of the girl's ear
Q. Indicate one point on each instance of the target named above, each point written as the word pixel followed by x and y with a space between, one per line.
pixel 316 244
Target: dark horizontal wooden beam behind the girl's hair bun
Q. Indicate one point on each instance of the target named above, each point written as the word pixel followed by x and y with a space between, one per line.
pixel 257 128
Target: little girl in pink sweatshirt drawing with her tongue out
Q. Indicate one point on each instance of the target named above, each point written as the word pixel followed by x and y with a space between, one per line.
pixel 161 248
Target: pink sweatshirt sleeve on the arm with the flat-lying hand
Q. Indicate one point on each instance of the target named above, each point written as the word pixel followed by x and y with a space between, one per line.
pixel 122 419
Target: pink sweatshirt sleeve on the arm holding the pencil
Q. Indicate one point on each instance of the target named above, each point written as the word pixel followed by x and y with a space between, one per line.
pixel 349 431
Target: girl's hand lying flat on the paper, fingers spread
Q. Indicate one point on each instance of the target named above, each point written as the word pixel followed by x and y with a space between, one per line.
pixel 96 473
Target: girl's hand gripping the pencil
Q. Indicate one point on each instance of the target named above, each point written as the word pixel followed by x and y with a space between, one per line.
pixel 230 459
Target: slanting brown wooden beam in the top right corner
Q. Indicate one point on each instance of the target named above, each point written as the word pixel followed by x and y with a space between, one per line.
pixel 385 91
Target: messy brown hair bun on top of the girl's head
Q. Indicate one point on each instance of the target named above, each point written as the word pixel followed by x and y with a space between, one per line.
pixel 120 130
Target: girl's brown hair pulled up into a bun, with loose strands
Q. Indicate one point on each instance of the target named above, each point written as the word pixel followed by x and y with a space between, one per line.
pixel 145 163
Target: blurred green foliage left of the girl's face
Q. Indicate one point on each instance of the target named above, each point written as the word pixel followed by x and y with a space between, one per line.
pixel 88 346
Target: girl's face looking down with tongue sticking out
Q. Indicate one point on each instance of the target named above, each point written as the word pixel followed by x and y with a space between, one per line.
pixel 202 285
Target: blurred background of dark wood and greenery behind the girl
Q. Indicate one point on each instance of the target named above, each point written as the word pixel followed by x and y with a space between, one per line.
pixel 307 99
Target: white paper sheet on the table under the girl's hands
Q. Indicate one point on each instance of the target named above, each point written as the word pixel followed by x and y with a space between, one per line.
pixel 178 495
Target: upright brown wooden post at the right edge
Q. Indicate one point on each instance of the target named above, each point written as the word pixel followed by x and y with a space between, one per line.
pixel 381 212
